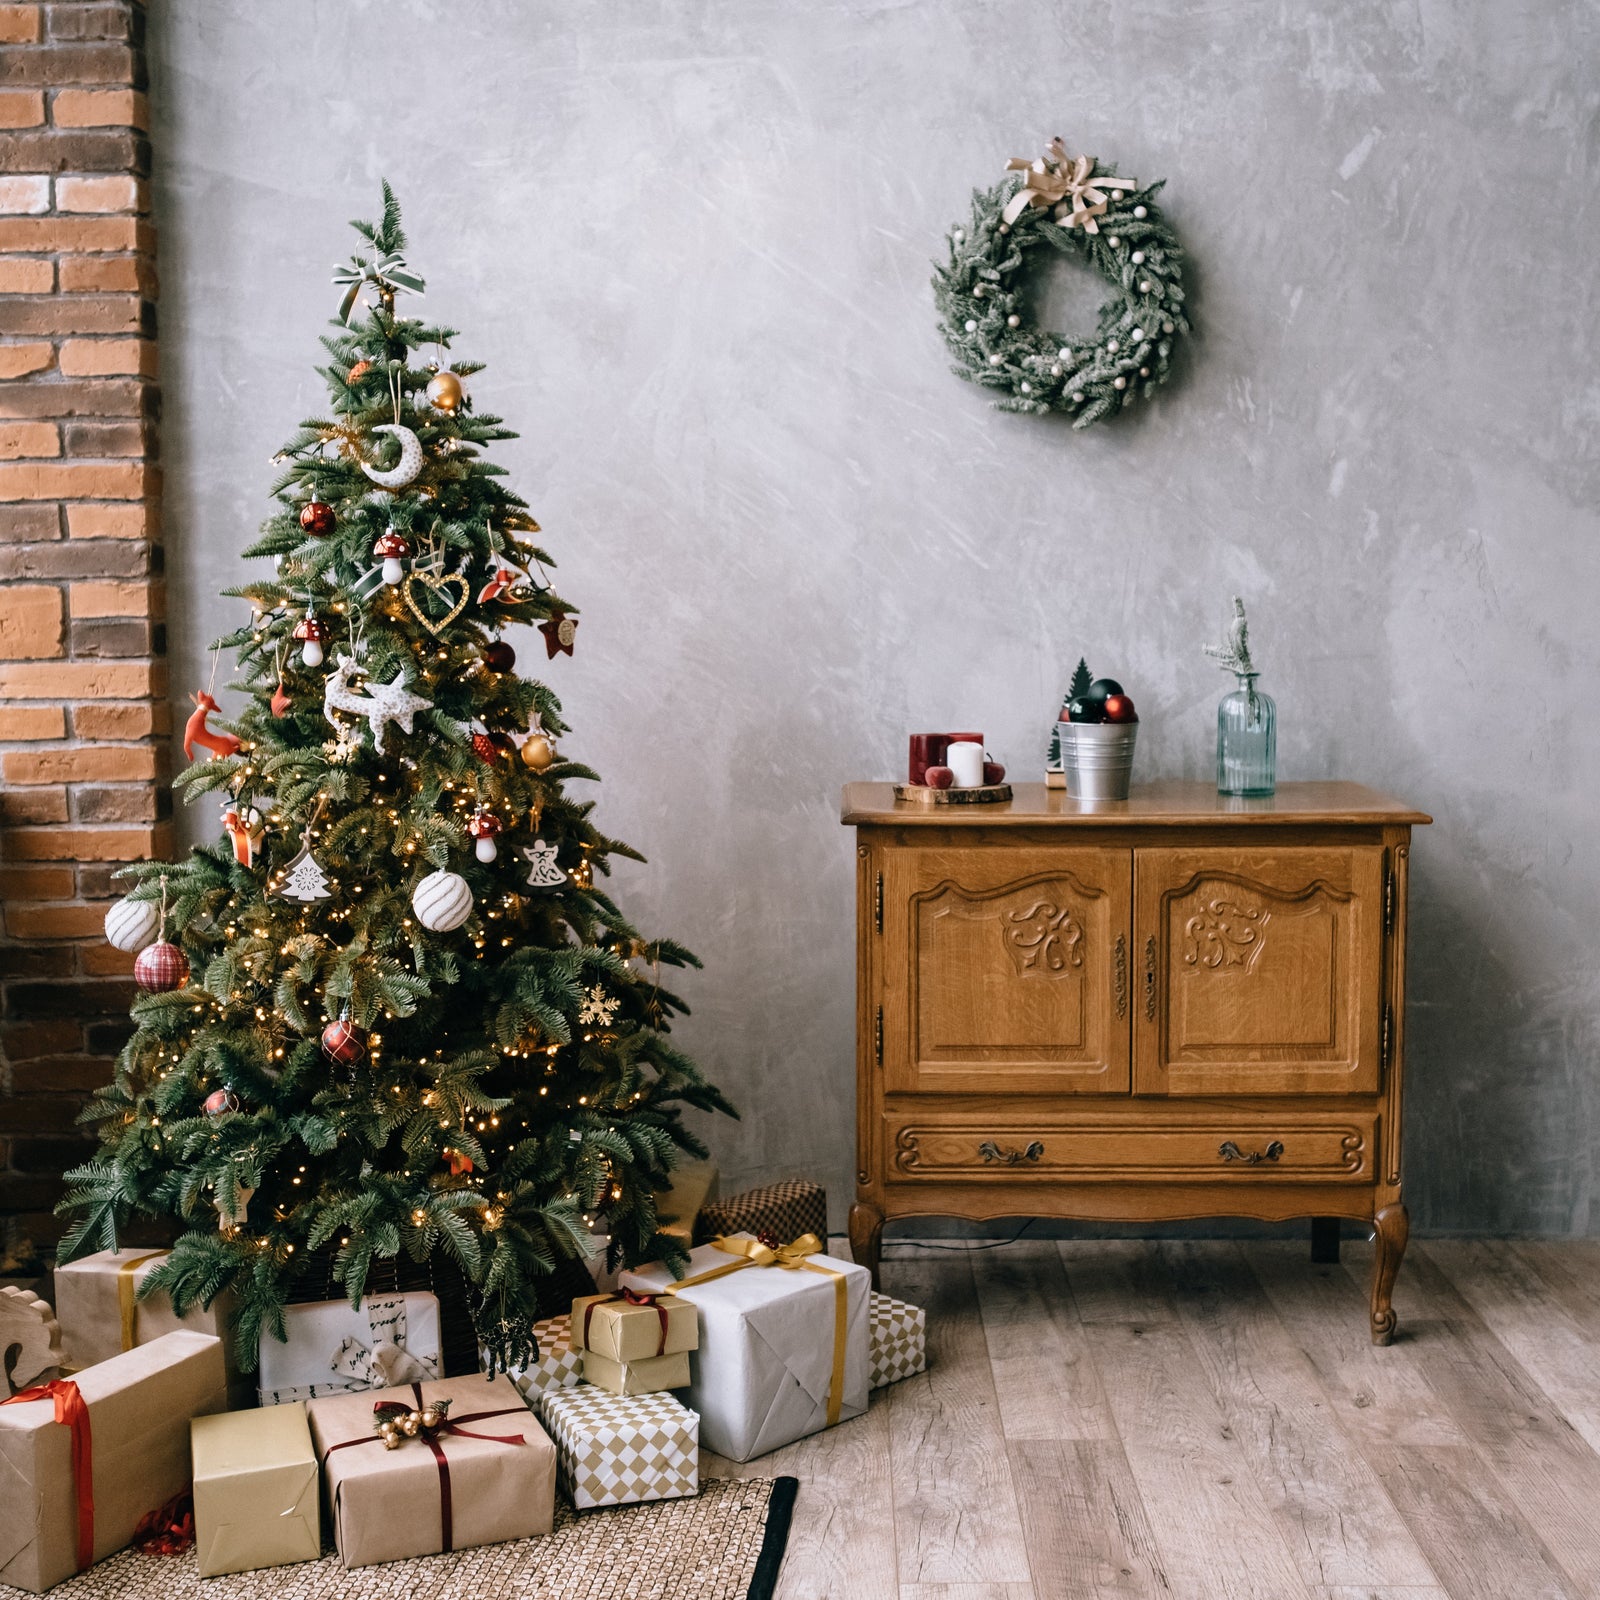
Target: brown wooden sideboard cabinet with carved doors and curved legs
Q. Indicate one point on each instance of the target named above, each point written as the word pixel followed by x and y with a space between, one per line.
pixel 1177 1006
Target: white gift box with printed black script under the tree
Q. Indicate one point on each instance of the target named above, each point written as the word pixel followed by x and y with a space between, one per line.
pixel 337 1348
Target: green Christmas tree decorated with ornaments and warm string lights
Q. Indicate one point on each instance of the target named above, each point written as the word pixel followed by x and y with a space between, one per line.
pixel 401 1015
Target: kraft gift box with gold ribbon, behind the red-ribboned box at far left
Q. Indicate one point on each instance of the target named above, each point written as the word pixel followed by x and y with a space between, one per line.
pixel 102 1314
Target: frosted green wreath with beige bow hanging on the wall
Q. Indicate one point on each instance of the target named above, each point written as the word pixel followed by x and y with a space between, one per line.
pixel 1084 209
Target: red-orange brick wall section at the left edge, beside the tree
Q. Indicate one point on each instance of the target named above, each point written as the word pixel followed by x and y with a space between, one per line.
pixel 84 716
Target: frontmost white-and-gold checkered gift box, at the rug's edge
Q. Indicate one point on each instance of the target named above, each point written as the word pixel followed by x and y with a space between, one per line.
pixel 622 1450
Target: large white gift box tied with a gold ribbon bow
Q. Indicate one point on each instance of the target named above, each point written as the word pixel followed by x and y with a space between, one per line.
pixel 772 1338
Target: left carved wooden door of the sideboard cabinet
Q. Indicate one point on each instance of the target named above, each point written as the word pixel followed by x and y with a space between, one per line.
pixel 1007 975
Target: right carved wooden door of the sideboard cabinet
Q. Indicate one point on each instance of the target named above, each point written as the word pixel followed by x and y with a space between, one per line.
pixel 1260 972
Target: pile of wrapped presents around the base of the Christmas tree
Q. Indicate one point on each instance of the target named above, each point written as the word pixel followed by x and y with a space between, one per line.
pixel 766 1338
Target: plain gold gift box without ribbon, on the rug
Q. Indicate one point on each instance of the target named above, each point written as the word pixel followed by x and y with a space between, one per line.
pixel 257 1490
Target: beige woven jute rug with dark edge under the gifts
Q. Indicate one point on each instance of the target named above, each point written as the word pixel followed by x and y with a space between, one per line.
pixel 724 1545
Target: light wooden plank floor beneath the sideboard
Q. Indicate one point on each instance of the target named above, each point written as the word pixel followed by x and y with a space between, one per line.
pixel 1209 1422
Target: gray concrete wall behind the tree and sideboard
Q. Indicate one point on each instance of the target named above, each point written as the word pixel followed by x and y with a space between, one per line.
pixel 694 244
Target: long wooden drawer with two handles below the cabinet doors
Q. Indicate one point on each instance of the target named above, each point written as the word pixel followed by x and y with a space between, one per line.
pixel 1012 1148
